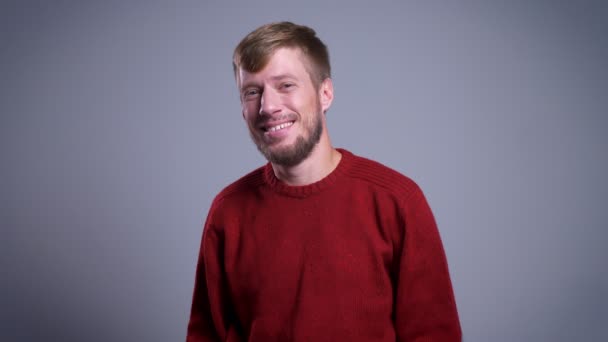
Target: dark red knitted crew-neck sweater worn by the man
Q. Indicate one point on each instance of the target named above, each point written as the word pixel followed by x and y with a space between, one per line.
pixel 353 257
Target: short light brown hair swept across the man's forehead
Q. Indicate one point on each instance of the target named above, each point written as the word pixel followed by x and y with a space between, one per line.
pixel 254 51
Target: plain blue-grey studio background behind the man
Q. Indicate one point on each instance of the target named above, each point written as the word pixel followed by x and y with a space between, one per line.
pixel 120 121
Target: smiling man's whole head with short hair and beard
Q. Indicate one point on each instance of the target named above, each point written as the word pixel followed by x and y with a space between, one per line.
pixel 282 71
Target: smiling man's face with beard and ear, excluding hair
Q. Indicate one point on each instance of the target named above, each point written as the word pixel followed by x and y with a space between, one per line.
pixel 282 108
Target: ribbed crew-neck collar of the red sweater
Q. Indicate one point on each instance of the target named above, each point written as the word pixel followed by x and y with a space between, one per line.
pixel 301 191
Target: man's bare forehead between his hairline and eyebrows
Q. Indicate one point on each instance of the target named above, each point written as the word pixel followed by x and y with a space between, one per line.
pixel 283 62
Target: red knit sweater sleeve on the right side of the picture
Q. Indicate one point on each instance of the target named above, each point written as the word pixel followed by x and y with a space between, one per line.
pixel 425 308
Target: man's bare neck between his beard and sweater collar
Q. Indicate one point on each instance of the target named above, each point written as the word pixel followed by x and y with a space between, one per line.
pixel 321 162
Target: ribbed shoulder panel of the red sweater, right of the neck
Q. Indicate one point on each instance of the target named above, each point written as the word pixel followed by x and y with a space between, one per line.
pixel 380 176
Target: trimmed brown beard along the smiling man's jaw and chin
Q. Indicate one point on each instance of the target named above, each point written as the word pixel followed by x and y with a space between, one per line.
pixel 295 153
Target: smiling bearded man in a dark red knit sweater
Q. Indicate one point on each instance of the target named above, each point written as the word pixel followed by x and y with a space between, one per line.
pixel 319 244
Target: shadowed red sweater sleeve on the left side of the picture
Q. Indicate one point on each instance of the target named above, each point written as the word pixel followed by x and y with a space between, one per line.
pixel 209 317
